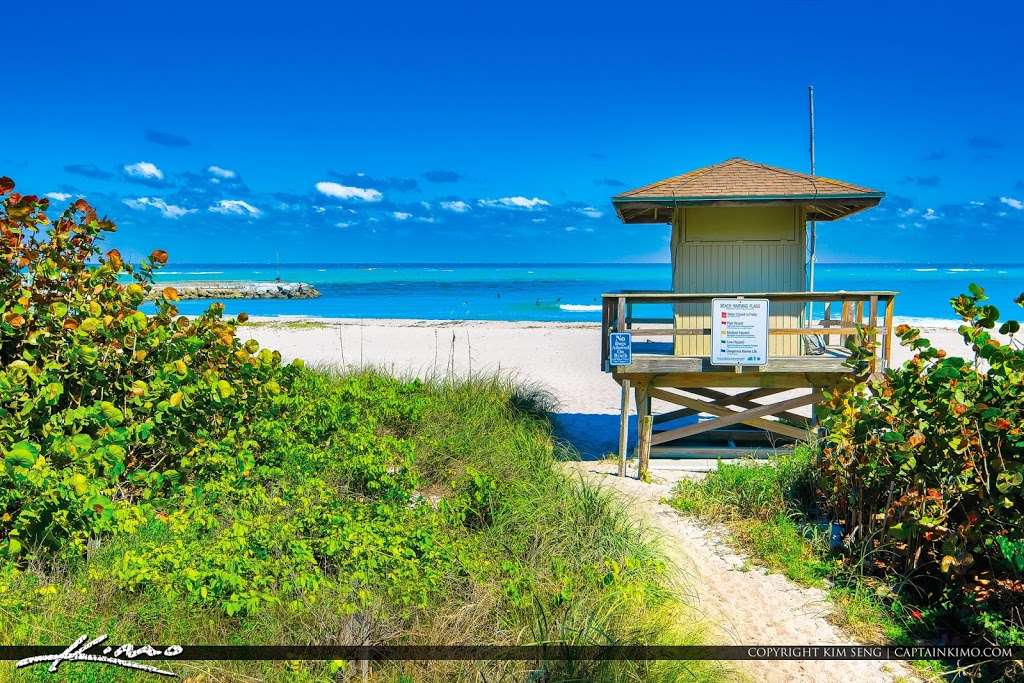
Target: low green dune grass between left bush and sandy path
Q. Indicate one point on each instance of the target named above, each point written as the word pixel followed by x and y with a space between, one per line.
pixel 516 553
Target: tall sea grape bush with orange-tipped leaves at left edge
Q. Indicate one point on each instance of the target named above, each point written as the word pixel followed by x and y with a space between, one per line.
pixel 102 405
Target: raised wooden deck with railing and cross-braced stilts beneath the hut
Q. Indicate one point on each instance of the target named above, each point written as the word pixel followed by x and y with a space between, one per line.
pixel 724 403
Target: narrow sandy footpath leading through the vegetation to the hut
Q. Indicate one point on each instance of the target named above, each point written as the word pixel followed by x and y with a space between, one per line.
pixel 744 606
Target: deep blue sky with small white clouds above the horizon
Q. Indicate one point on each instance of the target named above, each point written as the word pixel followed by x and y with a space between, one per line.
pixel 495 133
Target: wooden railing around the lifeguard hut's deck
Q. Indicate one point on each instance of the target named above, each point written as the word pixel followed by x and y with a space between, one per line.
pixel 842 314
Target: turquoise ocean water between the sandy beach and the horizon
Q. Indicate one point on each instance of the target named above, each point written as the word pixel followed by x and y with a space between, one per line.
pixel 558 292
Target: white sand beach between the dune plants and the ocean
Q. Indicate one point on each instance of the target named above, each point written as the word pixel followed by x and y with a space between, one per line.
pixel 564 358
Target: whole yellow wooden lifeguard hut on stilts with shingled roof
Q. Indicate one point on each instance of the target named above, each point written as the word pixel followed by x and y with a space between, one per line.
pixel 730 347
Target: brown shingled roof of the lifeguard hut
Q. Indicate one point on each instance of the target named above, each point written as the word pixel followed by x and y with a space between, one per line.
pixel 739 182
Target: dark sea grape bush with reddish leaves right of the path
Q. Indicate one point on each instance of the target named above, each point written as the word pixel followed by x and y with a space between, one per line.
pixel 925 466
